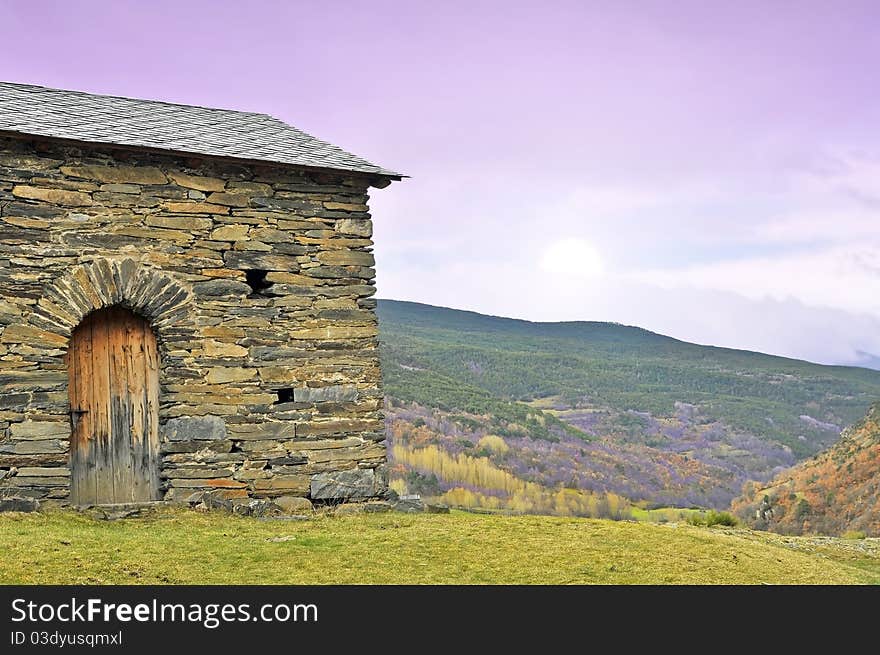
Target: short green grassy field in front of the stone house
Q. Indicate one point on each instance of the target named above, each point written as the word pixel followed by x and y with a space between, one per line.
pixel 177 547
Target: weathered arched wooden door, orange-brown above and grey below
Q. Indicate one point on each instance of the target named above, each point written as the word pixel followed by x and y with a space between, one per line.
pixel 113 367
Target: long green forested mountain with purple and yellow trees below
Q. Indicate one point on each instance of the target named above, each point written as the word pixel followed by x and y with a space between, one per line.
pixel 595 413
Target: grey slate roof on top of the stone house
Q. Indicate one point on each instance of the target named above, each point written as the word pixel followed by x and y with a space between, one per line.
pixel 79 116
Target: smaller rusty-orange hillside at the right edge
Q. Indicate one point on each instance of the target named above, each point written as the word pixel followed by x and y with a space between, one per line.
pixel 835 492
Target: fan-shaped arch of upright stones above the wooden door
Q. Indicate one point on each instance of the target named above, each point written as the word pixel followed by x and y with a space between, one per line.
pixel 105 282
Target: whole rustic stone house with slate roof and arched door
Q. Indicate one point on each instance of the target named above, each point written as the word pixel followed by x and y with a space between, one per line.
pixel 185 306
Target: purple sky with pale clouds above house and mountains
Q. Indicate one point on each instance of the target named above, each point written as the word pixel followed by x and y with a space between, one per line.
pixel 710 170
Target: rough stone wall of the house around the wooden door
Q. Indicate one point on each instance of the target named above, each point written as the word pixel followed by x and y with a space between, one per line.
pixel 269 380
